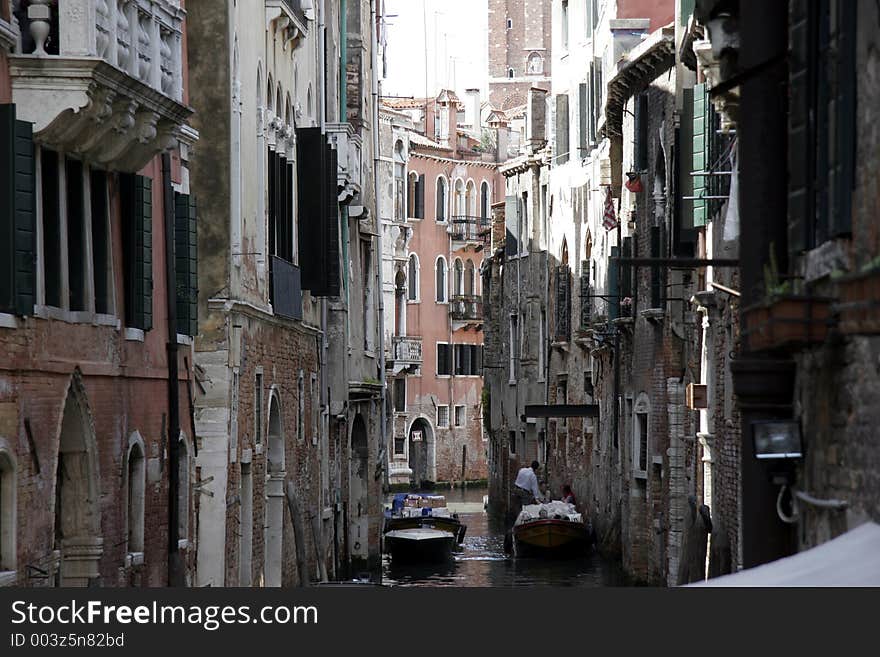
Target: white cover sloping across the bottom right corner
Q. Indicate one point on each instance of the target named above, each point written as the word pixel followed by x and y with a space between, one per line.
pixel 851 559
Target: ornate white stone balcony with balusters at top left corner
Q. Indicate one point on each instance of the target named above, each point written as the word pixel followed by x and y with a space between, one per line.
pixel 102 78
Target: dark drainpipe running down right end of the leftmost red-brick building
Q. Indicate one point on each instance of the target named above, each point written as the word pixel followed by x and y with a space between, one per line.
pixel 175 565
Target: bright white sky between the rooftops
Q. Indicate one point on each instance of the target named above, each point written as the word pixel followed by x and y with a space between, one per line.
pixel 446 37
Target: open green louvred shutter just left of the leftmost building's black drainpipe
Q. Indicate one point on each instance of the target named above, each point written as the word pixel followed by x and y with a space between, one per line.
pixel 136 194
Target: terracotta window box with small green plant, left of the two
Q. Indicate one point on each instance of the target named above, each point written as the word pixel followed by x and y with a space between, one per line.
pixel 785 318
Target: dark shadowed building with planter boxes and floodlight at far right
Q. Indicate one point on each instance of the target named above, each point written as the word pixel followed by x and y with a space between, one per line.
pixel 808 250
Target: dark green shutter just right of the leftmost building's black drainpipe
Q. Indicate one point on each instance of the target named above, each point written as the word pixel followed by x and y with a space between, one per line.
pixel 186 263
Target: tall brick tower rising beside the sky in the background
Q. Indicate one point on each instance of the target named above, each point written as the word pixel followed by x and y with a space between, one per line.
pixel 519 50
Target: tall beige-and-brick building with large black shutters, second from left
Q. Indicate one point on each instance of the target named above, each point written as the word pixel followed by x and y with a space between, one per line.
pixel 290 393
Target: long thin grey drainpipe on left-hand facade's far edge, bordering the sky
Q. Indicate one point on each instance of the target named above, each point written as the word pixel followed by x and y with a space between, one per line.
pixel 374 74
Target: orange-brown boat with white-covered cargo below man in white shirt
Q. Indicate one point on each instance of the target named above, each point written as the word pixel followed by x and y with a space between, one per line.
pixel 553 530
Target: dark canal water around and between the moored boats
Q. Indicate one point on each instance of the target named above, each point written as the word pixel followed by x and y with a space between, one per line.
pixel 483 562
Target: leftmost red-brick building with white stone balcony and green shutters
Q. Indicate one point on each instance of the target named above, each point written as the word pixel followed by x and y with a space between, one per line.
pixel 97 449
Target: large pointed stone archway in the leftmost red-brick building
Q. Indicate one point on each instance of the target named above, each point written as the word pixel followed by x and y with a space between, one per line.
pixel 77 516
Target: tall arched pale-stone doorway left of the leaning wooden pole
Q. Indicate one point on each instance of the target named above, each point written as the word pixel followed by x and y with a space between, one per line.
pixel 275 475
